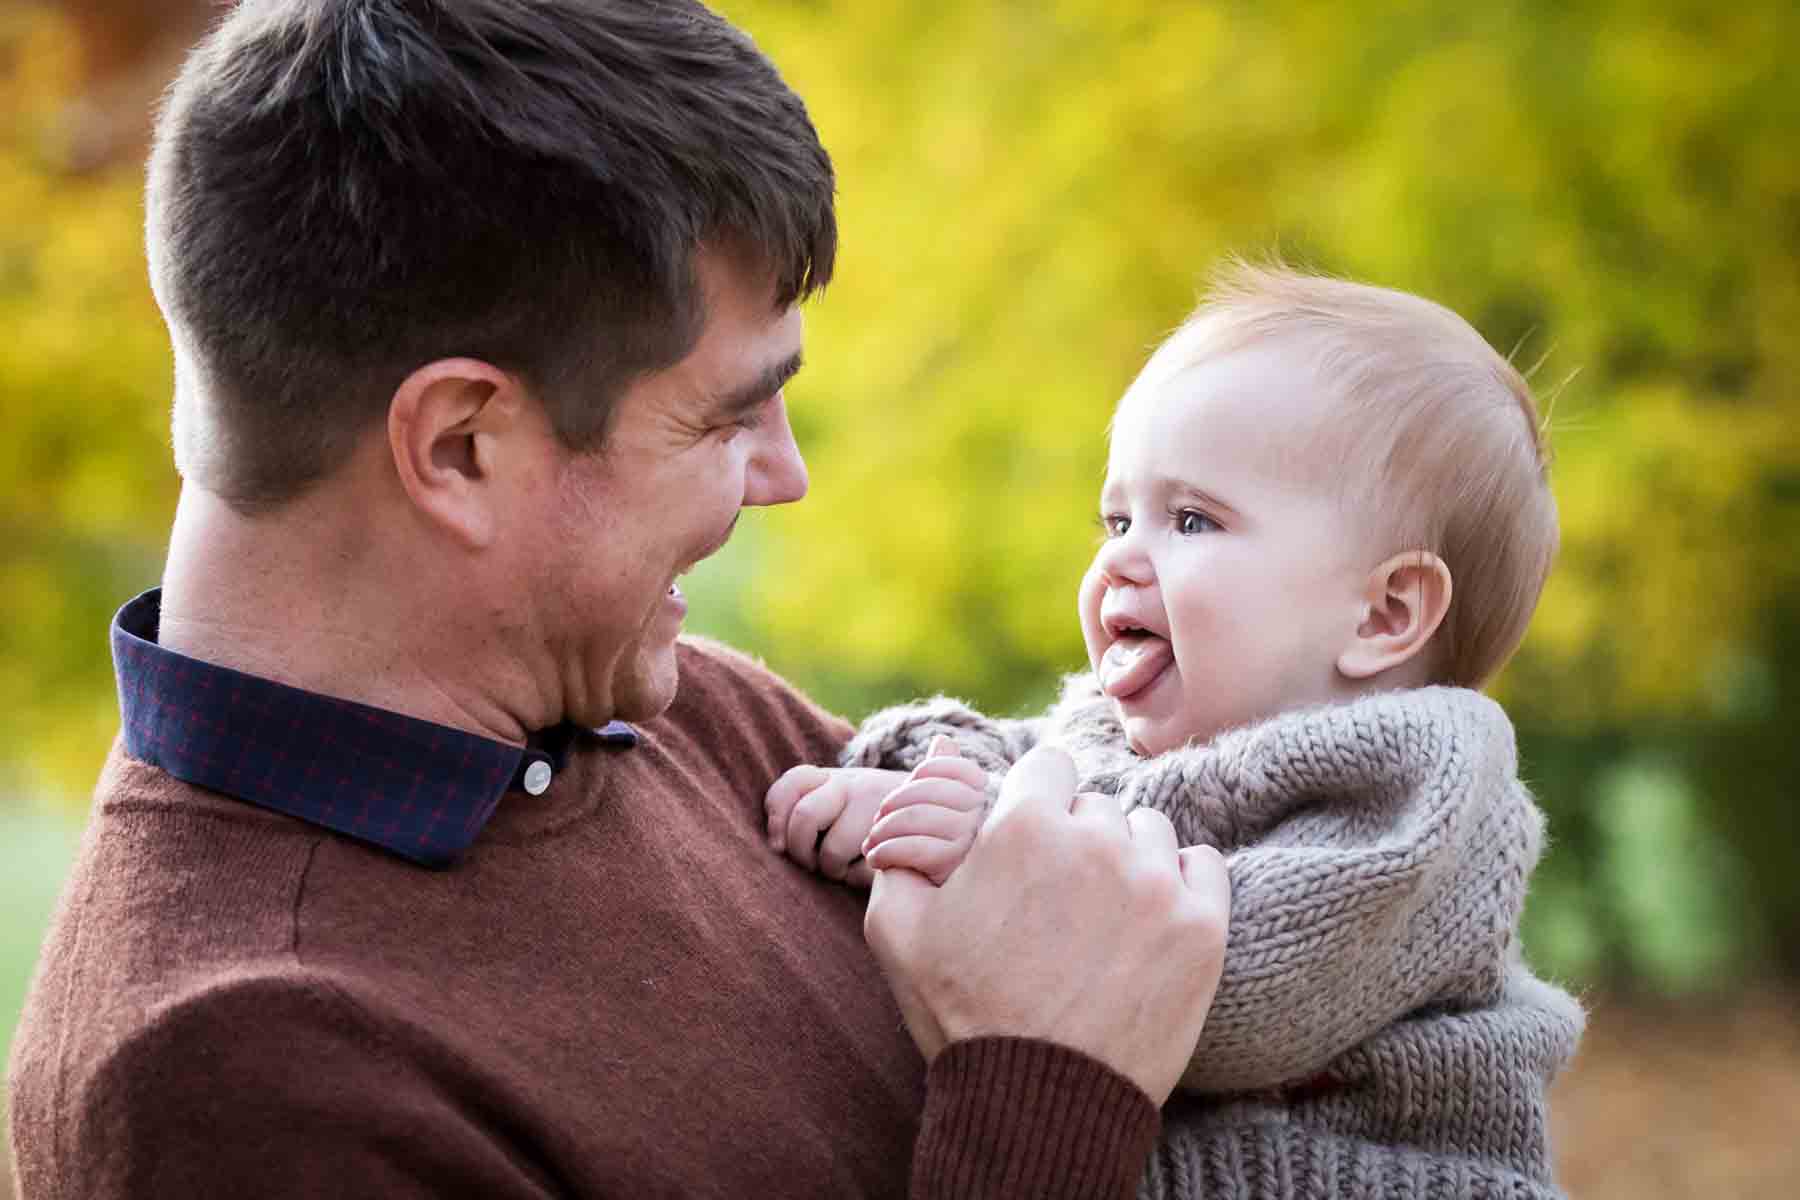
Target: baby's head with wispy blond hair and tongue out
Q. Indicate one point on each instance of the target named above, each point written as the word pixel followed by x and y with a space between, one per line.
pixel 1297 479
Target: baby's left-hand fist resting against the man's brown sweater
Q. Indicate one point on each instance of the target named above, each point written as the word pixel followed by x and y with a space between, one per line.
pixel 818 816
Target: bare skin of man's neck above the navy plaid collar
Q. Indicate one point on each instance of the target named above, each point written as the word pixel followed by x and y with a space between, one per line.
pixel 301 598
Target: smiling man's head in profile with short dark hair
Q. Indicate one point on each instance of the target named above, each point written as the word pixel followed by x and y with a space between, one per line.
pixel 483 314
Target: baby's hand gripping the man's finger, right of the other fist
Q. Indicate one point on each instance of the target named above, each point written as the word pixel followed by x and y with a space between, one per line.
pixel 931 823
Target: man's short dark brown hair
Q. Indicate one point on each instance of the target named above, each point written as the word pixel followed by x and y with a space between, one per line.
pixel 346 190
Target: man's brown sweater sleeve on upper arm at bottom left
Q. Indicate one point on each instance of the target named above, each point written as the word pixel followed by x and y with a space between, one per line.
pixel 204 1100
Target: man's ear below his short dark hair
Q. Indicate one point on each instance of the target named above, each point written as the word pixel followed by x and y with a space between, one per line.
pixel 449 425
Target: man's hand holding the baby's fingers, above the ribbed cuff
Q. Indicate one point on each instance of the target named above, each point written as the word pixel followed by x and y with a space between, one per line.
pixel 1068 922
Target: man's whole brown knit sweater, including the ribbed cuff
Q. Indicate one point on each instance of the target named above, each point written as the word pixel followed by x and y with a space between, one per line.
pixel 620 992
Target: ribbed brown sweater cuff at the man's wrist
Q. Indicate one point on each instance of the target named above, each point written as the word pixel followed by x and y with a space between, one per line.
pixel 1018 1118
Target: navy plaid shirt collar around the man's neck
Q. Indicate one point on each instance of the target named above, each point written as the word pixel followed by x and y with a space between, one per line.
pixel 413 787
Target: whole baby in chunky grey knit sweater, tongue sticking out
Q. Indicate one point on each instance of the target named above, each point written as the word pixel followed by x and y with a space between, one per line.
pixel 1326 524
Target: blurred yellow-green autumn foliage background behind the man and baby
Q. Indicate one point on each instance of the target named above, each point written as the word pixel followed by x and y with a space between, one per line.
pixel 1030 197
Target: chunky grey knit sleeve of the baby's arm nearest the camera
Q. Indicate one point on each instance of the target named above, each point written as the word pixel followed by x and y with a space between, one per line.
pixel 1378 855
